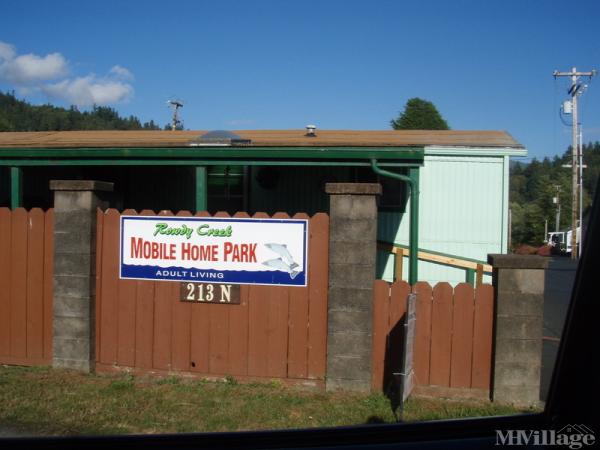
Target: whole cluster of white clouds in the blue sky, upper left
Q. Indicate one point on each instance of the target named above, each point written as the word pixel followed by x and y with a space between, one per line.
pixel 32 73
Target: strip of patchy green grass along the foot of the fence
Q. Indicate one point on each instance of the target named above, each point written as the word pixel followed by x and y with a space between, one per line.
pixel 46 401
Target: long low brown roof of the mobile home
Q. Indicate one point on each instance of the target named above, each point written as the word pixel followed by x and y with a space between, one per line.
pixel 261 138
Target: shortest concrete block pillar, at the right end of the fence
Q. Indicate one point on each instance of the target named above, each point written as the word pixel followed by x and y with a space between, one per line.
pixel 519 312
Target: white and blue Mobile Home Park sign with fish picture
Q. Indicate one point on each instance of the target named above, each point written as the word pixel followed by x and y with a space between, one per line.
pixel 214 250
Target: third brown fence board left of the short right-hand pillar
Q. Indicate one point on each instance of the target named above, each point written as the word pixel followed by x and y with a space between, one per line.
pixel 441 335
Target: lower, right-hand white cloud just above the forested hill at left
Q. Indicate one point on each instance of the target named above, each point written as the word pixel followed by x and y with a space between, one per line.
pixel 89 90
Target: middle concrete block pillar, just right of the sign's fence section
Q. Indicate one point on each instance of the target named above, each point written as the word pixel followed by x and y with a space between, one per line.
pixel 352 254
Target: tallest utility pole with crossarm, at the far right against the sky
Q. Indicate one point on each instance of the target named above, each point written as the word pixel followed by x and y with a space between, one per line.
pixel 575 90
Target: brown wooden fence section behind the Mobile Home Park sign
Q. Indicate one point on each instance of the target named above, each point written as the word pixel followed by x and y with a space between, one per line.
pixel 275 332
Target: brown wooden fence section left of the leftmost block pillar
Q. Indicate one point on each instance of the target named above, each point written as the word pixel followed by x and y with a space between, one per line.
pixel 26 269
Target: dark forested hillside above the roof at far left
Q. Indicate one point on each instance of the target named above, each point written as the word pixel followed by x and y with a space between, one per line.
pixel 18 115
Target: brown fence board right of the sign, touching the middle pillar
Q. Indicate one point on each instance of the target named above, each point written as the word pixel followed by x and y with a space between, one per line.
pixel 318 285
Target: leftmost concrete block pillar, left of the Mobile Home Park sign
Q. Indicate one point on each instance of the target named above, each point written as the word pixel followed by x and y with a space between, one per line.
pixel 75 204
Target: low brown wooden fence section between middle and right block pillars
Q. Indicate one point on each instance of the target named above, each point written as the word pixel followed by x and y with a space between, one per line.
pixel 453 341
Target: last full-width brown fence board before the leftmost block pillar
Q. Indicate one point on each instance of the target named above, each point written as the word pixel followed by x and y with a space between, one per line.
pixel 35 284
